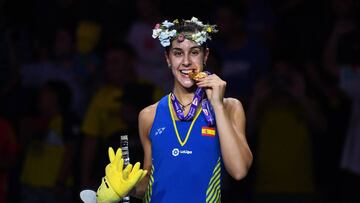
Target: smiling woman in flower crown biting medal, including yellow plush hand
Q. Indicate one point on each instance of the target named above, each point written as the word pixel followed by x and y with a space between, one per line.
pixel 188 136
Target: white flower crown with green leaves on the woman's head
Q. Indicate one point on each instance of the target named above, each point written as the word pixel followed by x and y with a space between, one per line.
pixel 165 35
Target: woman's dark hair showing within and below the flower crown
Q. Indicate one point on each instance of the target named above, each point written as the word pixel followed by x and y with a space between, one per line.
pixel 185 27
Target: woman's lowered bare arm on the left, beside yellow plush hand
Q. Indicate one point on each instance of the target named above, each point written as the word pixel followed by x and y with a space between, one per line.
pixel 146 119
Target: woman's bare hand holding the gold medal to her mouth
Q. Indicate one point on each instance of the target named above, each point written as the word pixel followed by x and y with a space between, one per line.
pixel 215 89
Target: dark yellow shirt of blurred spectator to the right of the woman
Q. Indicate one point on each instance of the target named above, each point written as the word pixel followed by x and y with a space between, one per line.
pixel 284 156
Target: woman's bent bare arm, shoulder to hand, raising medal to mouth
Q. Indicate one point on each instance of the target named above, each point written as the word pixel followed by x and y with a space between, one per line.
pixel 230 123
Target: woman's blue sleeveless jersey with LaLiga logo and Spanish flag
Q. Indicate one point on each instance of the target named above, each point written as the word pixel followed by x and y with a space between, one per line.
pixel 186 169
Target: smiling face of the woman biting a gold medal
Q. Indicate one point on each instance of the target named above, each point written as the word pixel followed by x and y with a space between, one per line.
pixel 185 57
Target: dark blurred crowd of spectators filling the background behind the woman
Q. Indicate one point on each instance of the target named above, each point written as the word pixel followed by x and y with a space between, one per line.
pixel 74 75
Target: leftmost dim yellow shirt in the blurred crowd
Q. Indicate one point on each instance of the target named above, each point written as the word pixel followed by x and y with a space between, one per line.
pixel 43 159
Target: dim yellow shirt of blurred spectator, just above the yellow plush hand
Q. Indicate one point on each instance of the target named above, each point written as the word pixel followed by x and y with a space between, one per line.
pixel 104 114
